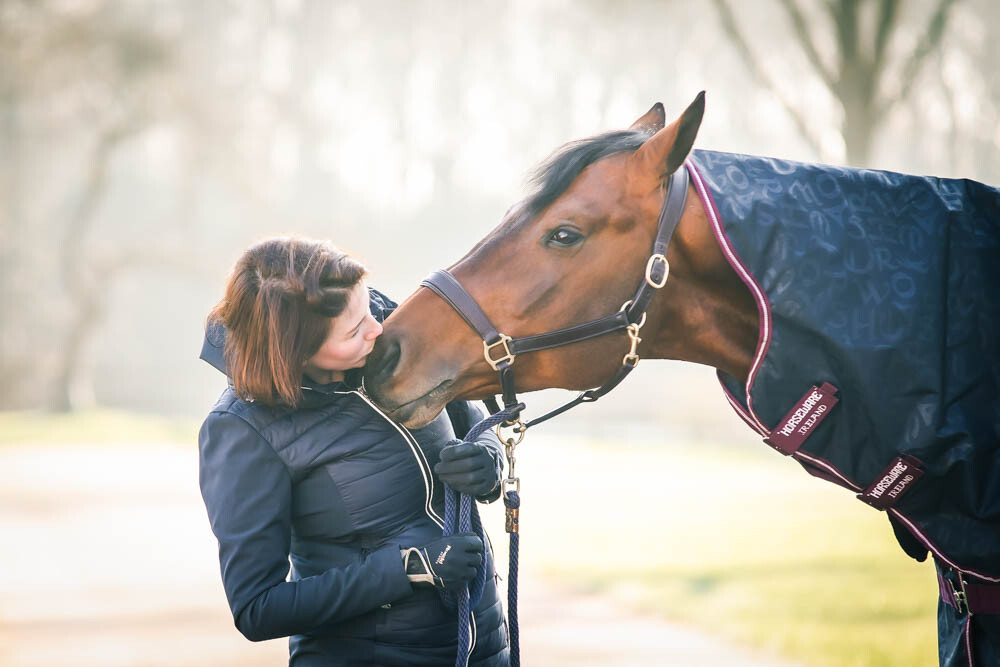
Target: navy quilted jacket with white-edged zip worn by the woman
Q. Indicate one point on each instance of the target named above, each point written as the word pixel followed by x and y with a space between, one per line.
pixel 311 507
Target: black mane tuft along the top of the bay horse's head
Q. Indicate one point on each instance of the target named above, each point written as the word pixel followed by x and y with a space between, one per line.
pixel 555 174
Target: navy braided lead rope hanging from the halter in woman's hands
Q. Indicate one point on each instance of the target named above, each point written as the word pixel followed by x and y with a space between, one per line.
pixel 462 516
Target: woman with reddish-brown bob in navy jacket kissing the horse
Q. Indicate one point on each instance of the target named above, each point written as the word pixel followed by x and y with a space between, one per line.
pixel 303 476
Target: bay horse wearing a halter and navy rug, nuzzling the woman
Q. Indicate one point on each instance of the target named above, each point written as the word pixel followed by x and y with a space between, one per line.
pixel 851 315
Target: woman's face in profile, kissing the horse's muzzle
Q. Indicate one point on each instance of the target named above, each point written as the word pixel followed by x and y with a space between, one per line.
pixel 351 338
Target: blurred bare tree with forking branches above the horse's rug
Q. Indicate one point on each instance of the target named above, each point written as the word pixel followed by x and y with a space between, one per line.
pixel 857 71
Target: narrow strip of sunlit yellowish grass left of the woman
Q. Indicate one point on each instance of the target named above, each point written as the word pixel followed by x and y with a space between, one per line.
pixel 93 426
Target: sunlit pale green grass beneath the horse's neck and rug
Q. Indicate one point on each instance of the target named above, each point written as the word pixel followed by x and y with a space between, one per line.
pixel 740 543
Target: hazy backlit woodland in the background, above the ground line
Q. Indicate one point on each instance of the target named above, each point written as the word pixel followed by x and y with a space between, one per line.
pixel 144 144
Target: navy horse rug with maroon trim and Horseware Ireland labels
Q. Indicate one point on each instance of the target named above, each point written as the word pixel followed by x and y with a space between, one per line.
pixel 878 359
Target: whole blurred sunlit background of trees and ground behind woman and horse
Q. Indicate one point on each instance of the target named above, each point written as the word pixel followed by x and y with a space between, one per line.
pixel 145 143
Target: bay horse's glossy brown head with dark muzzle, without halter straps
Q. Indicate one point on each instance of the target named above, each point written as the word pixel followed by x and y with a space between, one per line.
pixel 571 252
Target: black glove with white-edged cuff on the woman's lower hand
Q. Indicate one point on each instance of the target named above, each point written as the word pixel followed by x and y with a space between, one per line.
pixel 448 562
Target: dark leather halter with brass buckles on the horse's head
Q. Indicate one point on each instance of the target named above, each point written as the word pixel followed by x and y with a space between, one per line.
pixel 501 350
